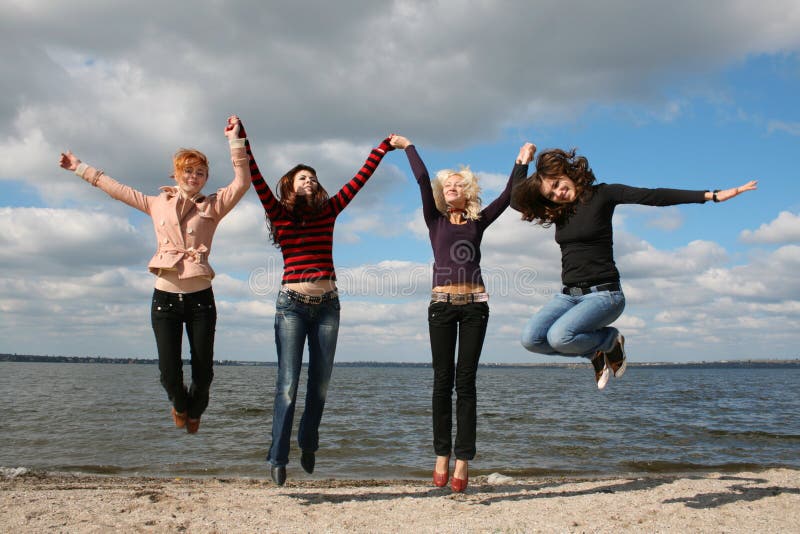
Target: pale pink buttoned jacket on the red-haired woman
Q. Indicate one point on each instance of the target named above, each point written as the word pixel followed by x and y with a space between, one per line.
pixel 183 245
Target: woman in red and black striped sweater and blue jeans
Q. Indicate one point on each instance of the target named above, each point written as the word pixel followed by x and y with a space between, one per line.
pixel 301 220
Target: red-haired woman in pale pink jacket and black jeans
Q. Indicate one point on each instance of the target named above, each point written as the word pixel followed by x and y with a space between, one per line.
pixel 185 220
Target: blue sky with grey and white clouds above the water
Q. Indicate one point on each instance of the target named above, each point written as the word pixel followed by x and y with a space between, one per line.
pixel 684 94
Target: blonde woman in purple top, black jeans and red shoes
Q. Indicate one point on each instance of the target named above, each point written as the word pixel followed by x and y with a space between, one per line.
pixel 459 309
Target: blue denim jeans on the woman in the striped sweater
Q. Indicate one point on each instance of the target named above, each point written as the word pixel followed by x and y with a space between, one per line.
pixel 294 323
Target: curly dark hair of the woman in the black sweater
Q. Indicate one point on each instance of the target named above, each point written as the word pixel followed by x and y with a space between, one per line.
pixel 528 199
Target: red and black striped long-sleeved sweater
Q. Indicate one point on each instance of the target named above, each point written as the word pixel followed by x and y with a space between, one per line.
pixel 307 243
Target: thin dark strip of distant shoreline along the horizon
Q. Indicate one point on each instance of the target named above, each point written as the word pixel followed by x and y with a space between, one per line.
pixel 762 363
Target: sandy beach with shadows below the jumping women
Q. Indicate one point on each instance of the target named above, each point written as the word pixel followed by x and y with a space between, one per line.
pixel 762 501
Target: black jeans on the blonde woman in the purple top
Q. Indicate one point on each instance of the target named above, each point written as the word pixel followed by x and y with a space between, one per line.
pixel 465 324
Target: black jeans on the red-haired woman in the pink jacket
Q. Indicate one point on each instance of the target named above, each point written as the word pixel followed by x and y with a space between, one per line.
pixel 169 313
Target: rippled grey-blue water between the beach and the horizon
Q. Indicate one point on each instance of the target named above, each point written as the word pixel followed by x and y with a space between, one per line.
pixel 111 418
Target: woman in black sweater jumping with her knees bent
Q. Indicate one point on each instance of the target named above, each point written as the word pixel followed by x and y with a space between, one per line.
pixel 562 192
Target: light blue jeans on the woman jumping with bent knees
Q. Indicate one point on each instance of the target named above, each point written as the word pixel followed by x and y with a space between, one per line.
pixel 575 326
